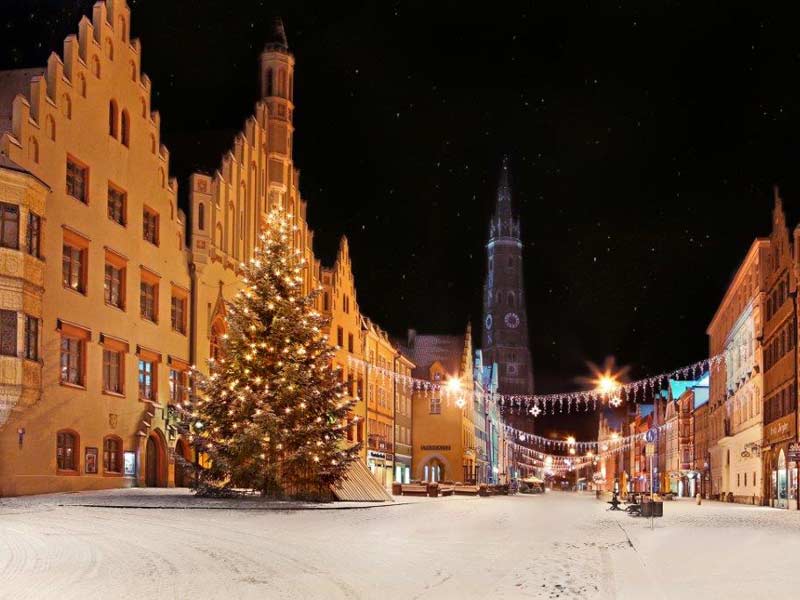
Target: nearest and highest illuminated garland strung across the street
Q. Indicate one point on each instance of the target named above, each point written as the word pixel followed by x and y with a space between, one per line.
pixel 537 404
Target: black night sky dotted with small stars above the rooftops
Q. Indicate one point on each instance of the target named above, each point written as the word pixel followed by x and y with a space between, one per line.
pixel 644 138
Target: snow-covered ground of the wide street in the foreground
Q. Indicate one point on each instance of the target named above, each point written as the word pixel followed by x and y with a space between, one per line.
pixel 561 545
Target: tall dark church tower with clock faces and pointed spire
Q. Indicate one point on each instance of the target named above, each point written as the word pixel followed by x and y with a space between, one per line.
pixel 505 319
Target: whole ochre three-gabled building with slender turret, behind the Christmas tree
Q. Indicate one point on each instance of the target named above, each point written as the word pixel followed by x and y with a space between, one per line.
pixel 105 308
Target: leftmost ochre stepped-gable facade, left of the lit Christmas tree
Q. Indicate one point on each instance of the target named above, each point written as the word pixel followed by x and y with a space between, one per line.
pixel 106 292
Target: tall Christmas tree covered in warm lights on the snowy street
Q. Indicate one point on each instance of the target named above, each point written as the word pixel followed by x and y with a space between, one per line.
pixel 272 413
